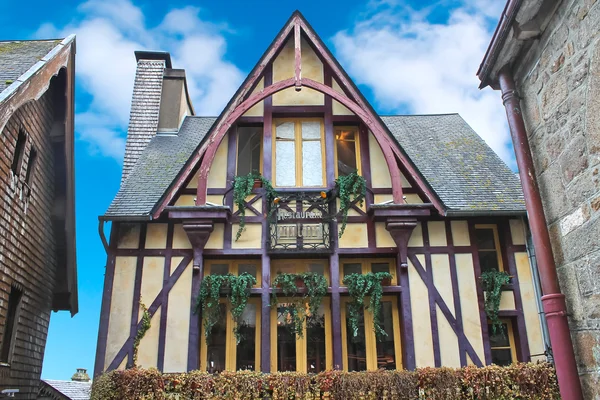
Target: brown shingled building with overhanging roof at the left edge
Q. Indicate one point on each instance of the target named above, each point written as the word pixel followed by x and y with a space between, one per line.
pixel 37 213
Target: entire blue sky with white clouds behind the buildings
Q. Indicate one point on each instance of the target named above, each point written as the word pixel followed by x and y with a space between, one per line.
pixel 406 56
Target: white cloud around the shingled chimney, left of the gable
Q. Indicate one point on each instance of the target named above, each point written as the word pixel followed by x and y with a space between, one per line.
pixel 108 32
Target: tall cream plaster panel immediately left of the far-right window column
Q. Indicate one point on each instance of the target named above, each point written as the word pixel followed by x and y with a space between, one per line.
pixel 469 303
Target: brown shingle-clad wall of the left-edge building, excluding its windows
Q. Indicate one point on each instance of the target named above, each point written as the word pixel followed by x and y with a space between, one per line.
pixel 27 255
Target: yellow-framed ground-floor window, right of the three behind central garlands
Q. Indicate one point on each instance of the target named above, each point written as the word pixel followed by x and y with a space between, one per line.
pixel 365 351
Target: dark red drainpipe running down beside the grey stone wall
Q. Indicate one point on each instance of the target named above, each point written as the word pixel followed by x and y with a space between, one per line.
pixel 553 300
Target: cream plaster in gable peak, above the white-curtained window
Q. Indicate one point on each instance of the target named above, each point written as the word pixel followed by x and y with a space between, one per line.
pixel 284 68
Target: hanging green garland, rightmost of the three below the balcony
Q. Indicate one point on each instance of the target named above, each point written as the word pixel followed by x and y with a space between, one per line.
pixel 360 286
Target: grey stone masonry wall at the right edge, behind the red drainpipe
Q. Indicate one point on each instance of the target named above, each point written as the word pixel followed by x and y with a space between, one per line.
pixel 559 82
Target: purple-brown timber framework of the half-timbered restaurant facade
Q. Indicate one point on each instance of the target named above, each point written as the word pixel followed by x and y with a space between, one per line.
pixel 399 219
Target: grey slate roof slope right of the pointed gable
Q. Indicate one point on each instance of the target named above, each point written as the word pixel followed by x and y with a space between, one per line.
pixel 459 166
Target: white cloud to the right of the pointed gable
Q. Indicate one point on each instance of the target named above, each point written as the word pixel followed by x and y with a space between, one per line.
pixel 412 63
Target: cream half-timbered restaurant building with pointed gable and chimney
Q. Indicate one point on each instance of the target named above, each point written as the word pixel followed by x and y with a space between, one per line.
pixel 440 209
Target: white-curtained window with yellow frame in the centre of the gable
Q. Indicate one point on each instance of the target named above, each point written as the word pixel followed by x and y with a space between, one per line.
pixel 299 153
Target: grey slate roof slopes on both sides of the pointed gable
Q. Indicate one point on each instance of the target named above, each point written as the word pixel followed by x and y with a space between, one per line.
pixel 463 171
